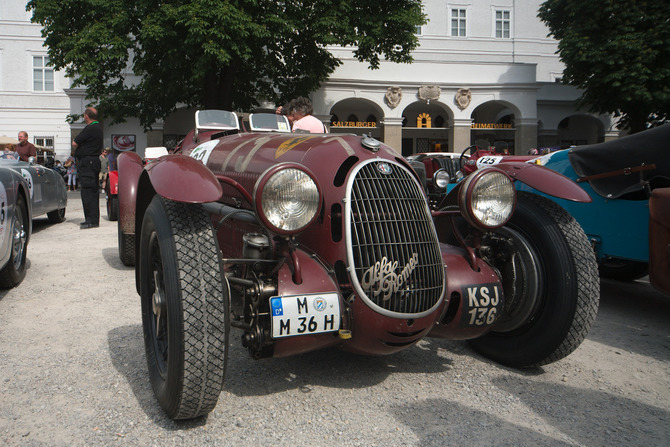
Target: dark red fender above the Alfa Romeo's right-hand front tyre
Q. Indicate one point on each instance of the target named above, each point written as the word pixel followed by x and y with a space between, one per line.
pixel 545 180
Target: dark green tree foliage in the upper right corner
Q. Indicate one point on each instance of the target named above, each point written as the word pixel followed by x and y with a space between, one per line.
pixel 616 51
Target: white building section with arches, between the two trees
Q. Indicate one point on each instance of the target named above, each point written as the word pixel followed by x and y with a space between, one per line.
pixel 485 72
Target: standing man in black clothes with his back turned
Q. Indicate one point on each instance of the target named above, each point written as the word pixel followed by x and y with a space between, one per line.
pixel 88 145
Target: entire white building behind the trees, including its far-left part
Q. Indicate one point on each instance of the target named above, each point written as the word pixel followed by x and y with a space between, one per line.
pixel 485 73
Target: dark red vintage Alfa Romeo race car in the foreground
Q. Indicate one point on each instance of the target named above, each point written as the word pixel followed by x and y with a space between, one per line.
pixel 308 241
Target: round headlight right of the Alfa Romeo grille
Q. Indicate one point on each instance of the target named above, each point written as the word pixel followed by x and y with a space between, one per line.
pixel 487 198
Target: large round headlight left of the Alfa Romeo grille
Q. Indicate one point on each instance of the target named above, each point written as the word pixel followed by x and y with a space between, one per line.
pixel 289 200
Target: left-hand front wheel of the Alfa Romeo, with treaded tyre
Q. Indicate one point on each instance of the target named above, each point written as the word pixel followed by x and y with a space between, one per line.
pixel 185 308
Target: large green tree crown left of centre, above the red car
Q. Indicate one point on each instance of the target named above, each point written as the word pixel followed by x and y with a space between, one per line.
pixel 145 58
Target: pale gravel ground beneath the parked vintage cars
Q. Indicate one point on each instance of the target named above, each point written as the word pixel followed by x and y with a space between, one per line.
pixel 73 373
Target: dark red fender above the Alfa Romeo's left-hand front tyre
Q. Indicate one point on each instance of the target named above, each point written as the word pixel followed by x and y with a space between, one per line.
pixel 183 179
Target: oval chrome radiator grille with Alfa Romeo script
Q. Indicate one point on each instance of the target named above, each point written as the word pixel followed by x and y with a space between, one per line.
pixel 392 246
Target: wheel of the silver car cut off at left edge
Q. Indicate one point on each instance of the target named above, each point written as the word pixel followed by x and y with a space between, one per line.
pixel 15 270
